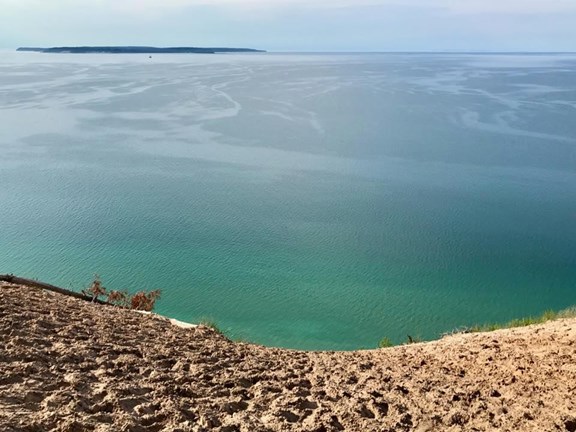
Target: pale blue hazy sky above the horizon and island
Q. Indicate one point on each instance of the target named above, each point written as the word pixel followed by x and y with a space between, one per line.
pixel 295 25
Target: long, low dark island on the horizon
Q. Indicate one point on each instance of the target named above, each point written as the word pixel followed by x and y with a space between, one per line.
pixel 138 50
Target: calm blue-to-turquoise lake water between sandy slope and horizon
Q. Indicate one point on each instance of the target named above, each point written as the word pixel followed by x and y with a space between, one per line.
pixel 306 201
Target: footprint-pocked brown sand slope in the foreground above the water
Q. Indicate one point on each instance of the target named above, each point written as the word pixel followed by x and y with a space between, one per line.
pixel 69 365
